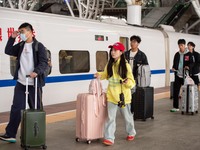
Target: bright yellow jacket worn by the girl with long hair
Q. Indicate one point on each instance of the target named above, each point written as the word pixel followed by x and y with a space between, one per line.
pixel 114 86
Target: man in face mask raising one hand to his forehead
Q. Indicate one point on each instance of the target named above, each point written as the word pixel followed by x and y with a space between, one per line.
pixel 30 62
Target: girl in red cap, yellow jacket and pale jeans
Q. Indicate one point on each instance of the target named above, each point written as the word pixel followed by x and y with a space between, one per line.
pixel 119 74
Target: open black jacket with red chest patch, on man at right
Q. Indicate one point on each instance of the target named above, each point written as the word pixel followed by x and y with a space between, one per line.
pixel 187 61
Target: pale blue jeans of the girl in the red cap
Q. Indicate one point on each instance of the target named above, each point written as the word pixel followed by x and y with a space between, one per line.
pixel 110 126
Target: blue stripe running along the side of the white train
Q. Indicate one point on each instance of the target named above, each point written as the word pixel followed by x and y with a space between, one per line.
pixel 69 78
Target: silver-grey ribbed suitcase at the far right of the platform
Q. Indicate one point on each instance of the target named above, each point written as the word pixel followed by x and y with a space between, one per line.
pixel 189 99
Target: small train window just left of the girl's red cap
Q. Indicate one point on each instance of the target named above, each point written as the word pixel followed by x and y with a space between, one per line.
pixel 101 60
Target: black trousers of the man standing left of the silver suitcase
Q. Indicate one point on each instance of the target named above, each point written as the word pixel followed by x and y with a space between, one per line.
pixel 177 85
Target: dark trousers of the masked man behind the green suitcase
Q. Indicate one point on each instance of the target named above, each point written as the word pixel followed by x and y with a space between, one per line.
pixel 19 104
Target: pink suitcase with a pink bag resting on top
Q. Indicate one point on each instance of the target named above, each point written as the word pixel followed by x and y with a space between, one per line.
pixel 91 113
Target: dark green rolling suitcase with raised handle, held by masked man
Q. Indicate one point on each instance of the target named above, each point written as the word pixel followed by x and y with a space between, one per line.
pixel 33 124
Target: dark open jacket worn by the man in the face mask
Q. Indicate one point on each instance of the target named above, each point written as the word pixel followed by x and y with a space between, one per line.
pixel 39 57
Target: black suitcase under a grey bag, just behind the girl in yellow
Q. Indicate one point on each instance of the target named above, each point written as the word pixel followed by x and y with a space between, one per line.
pixel 143 103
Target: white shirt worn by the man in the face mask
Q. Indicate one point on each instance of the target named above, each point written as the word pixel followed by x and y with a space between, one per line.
pixel 26 64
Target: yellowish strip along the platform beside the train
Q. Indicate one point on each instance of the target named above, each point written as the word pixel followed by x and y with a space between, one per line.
pixel 61 116
